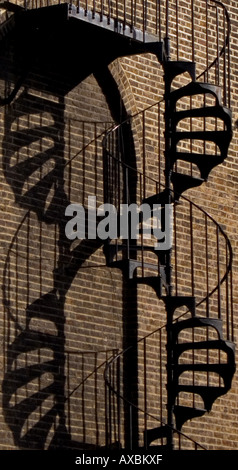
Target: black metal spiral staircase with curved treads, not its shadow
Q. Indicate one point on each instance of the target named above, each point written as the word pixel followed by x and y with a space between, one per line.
pixel 176 184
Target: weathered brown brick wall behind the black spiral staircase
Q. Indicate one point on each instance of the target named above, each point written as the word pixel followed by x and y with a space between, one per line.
pixel 64 312
